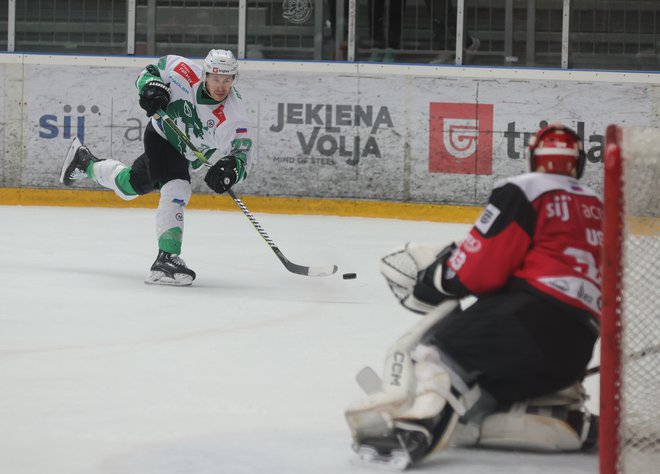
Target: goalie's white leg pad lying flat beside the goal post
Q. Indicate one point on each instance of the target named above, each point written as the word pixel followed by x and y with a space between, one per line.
pixel 558 422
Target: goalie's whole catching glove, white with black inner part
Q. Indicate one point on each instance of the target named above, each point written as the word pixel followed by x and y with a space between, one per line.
pixel 414 274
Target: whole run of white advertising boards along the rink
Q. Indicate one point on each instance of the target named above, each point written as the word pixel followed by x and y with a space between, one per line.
pixel 400 137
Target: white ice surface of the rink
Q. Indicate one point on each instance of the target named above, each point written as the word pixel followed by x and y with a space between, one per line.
pixel 247 371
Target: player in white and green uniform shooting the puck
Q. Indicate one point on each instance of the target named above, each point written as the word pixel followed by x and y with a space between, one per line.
pixel 204 103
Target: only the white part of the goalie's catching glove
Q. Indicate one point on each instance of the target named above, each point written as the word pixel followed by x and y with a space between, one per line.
pixel 400 268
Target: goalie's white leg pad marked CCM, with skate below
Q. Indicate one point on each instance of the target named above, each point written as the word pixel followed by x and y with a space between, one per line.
pixel 414 415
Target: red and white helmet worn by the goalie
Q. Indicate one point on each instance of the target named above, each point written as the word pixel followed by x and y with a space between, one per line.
pixel 557 149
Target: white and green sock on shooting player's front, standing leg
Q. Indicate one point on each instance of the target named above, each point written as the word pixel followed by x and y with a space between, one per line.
pixel 174 196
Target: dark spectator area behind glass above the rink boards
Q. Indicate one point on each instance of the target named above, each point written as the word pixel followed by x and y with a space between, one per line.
pixel 584 34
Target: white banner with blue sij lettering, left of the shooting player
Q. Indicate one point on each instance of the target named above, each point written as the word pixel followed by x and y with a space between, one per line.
pixel 97 104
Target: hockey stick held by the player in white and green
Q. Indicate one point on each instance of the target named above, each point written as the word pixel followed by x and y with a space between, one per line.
pixel 292 267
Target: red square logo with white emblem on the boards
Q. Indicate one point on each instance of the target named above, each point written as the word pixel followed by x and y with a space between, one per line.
pixel 460 138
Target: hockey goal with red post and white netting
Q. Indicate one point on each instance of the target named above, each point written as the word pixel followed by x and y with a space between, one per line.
pixel 630 330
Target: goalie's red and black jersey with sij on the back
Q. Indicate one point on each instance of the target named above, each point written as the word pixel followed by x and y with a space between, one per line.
pixel 544 229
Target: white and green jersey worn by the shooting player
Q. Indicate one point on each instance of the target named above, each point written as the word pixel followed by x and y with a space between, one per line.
pixel 217 129
